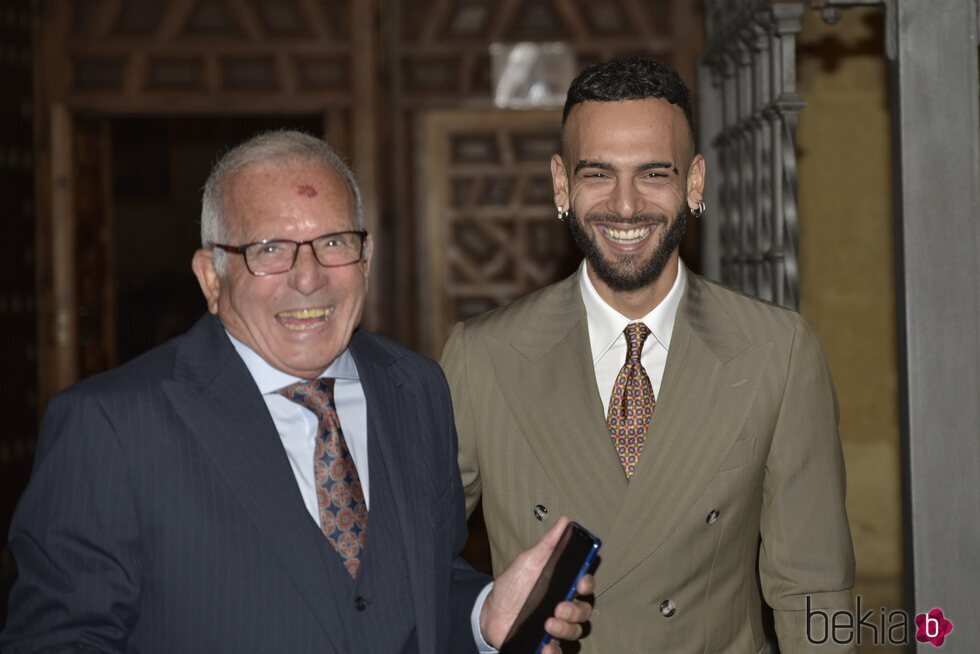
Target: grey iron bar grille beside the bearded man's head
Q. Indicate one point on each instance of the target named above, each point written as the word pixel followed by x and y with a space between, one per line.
pixel 748 111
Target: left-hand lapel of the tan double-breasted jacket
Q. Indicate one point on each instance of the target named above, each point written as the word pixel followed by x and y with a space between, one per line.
pixel 546 376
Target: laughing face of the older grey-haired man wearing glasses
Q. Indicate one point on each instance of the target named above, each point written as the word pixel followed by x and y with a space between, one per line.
pixel 298 321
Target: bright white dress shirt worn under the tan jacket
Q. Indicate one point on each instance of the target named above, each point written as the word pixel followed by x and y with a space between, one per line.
pixel 608 341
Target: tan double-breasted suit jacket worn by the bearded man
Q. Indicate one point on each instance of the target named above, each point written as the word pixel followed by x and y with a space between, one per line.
pixel 743 450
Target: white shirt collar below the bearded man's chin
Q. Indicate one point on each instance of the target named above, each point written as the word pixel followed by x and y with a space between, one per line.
pixel 606 324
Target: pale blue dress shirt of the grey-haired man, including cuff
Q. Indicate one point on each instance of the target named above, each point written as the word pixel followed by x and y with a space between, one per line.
pixel 297 427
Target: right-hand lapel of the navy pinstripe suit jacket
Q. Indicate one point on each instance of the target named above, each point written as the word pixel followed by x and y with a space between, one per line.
pixel 392 434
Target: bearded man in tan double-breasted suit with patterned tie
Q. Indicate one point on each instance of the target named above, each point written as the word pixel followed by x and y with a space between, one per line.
pixel 704 420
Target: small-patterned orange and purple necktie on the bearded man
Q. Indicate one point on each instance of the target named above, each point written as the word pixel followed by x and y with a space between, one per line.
pixel 631 403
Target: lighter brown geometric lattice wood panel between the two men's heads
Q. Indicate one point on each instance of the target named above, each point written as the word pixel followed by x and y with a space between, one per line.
pixel 492 234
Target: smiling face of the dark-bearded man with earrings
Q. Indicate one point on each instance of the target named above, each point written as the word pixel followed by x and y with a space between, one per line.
pixel 628 176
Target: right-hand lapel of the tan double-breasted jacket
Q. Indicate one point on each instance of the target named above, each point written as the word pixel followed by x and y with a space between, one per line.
pixel 711 375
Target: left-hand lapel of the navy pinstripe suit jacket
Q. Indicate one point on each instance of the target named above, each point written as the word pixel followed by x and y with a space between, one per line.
pixel 218 400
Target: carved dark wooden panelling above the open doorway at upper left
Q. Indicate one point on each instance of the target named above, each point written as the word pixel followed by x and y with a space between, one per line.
pixel 204 55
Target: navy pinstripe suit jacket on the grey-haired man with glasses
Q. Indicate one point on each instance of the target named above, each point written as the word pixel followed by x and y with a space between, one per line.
pixel 162 514
